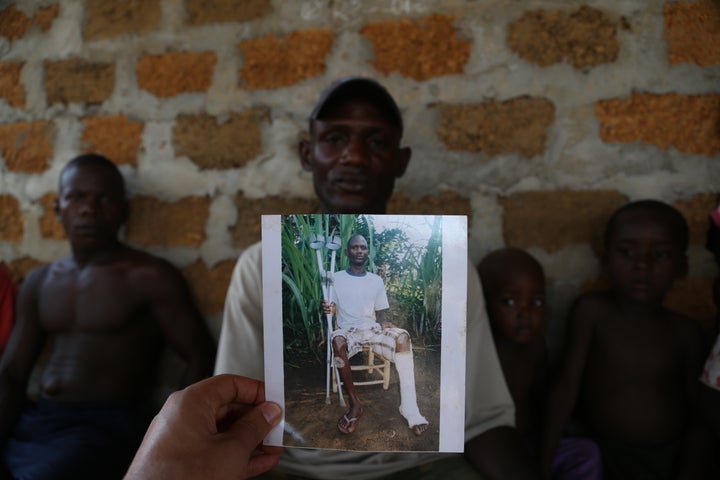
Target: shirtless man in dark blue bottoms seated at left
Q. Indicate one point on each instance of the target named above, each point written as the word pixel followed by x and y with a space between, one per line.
pixel 103 315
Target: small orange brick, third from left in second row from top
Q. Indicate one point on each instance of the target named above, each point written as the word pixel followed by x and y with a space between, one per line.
pixel 174 73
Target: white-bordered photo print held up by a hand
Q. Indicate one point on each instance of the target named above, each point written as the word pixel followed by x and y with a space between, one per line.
pixel 364 327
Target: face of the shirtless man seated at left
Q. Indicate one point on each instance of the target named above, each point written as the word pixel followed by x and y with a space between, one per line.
pixel 91 206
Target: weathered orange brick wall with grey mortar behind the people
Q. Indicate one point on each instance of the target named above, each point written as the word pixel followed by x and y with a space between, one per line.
pixel 535 118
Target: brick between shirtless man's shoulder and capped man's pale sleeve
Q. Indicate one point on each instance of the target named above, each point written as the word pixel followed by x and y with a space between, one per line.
pixel 209 285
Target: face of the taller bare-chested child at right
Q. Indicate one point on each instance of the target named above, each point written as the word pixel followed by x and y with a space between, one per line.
pixel 644 257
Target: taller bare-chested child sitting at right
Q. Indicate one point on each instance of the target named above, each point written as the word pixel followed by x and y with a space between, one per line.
pixel 631 365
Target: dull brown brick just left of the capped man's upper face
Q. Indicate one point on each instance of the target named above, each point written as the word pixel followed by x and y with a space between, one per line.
pixel 220 146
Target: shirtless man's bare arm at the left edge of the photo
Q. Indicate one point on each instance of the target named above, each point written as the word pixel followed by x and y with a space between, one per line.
pixel 23 348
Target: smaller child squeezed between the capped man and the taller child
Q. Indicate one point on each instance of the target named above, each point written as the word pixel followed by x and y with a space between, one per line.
pixel 514 287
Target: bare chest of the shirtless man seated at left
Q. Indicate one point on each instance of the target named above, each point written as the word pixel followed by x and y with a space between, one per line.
pixel 93 299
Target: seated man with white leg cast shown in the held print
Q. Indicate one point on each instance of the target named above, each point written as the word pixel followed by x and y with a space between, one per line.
pixel 356 293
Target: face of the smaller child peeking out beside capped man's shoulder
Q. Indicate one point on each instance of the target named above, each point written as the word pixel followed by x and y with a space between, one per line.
pixel 516 305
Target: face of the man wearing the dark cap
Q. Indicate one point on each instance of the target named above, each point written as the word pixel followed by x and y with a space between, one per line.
pixel 355 157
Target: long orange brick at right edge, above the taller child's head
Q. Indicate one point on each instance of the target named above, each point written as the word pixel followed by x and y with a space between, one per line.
pixel 686 122
